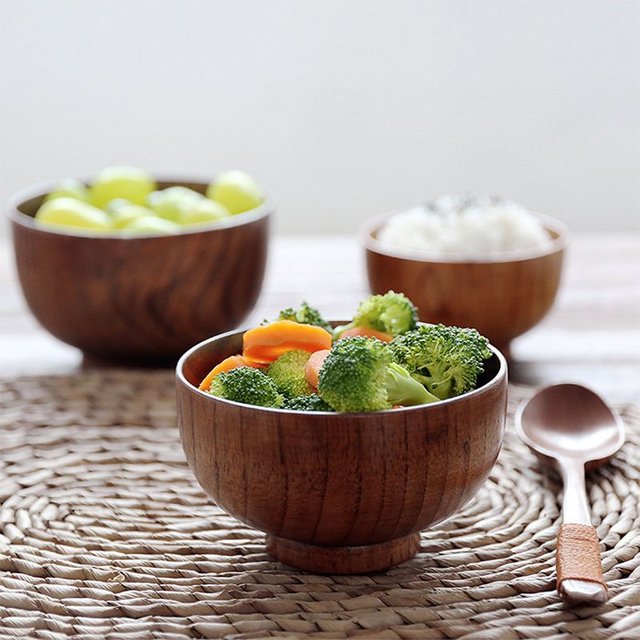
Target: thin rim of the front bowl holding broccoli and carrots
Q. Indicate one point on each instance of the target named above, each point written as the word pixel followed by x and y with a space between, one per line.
pixel 181 378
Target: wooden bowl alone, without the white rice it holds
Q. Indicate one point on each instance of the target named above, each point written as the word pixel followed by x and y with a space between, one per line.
pixel 502 297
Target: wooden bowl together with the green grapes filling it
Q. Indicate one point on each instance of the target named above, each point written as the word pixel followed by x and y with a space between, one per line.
pixel 134 269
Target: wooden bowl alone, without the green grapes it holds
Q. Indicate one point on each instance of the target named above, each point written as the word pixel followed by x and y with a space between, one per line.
pixel 142 299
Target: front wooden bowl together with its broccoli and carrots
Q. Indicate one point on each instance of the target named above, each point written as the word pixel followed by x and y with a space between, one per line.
pixel 343 441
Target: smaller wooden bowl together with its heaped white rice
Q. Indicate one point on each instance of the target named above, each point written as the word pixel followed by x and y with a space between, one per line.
pixel 471 260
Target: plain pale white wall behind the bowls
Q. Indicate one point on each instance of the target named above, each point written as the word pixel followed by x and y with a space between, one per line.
pixel 345 109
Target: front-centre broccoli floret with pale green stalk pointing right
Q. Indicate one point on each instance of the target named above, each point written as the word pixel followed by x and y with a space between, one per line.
pixel 358 375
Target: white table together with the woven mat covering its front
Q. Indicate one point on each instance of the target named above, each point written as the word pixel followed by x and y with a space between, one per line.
pixel 105 531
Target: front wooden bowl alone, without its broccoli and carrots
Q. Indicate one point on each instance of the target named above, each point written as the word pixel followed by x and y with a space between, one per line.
pixel 338 493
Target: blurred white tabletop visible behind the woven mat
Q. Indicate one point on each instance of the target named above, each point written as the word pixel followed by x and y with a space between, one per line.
pixel 591 336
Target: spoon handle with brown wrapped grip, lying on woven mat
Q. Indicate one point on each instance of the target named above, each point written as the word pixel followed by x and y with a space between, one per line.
pixel 578 567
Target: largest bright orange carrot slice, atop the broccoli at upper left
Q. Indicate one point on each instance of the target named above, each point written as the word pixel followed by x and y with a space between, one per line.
pixel 267 342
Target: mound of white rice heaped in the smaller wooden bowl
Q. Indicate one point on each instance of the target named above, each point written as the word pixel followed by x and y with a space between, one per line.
pixel 467 226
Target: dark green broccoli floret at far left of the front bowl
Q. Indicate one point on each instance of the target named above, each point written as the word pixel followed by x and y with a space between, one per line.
pixel 247 385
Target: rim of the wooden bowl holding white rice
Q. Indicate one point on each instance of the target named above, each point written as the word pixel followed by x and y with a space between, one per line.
pixel 367 231
